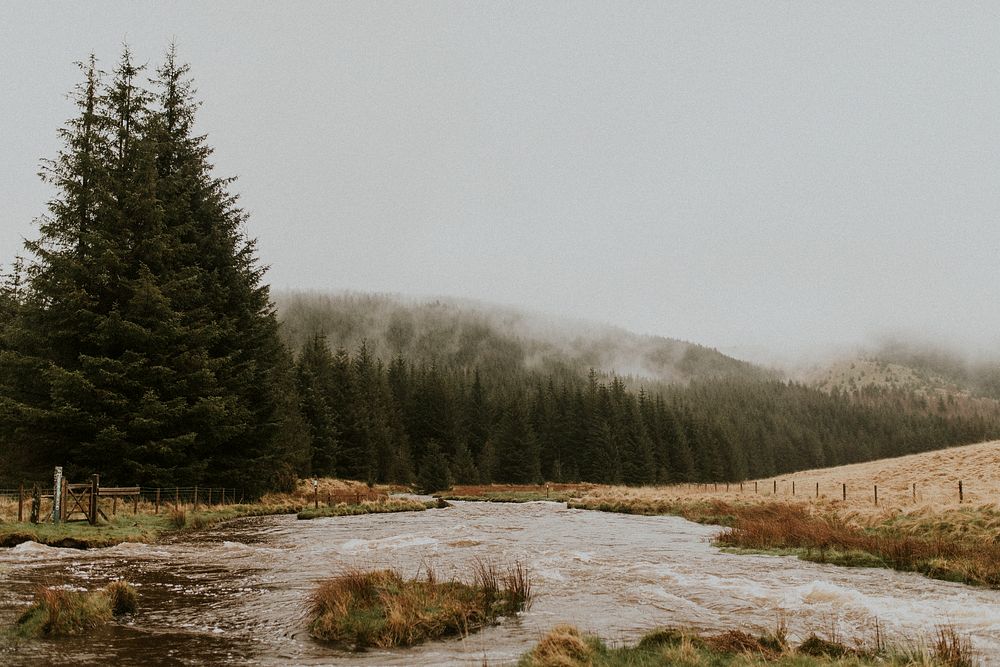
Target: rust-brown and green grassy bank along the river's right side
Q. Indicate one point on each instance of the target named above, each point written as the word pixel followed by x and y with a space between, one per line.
pixel 958 544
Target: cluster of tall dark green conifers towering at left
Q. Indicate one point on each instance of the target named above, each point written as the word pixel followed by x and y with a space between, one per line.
pixel 145 346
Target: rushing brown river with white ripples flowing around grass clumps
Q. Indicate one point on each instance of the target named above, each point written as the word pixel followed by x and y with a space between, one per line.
pixel 236 594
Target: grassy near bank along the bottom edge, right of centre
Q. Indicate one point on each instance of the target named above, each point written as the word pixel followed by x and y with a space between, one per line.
pixel 565 646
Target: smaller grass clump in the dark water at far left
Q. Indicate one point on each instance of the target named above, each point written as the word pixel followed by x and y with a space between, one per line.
pixel 58 612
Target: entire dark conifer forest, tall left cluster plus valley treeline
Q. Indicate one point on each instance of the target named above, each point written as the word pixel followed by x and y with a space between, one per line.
pixel 140 340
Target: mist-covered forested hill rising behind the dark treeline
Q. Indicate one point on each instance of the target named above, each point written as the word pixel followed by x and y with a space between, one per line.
pixel 498 339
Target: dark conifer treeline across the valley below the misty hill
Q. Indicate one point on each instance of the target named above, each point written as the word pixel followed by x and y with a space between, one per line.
pixel 437 424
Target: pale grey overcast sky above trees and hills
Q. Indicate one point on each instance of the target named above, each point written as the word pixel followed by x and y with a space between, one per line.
pixel 770 175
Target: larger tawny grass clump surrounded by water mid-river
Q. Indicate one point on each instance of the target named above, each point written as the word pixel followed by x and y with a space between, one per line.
pixel 380 608
